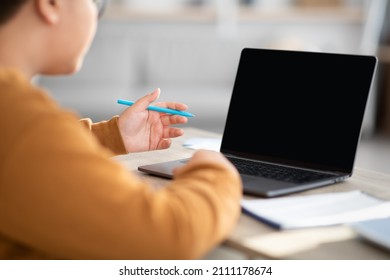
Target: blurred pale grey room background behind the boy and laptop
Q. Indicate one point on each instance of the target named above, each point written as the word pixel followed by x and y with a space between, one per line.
pixel 190 49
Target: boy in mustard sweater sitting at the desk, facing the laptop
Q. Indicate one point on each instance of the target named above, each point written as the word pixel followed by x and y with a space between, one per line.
pixel 61 194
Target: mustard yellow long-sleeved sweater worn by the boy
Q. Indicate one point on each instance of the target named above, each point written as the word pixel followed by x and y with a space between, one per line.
pixel 63 197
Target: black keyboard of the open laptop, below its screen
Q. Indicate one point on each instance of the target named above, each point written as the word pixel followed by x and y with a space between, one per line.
pixel 276 172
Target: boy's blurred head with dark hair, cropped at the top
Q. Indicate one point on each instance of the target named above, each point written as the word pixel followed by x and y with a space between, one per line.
pixel 46 36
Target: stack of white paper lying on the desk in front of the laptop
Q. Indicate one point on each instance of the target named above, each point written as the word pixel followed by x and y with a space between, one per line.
pixel 317 210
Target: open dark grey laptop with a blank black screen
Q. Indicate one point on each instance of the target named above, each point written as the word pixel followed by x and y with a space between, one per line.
pixel 294 120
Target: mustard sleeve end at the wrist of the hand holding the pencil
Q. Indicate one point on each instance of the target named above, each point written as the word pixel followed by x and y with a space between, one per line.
pixel 107 132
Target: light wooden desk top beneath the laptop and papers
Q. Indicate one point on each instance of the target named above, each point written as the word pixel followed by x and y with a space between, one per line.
pixel 257 240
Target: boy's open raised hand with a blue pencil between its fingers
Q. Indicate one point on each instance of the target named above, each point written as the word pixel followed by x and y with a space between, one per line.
pixel 145 130
